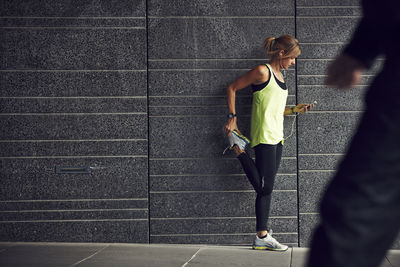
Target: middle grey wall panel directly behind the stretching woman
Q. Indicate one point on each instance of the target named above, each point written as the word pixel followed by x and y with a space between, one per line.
pixel 196 48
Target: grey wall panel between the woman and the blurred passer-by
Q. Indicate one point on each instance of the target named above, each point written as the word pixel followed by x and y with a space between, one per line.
pixel 323 27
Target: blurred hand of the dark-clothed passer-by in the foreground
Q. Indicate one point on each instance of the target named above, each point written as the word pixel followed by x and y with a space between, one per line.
pixel 344 72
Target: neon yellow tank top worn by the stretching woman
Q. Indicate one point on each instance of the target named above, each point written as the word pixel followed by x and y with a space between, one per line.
pixel 267 113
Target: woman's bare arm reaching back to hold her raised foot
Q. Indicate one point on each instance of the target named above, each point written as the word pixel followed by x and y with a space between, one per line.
pixel 255 76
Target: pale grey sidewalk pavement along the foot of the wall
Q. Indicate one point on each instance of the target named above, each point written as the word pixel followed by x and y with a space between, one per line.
pixel 116 255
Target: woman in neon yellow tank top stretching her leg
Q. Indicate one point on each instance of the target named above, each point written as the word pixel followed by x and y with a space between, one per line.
pixel 268 111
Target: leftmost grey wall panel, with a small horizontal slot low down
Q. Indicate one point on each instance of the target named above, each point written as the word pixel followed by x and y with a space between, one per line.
pixel 73 92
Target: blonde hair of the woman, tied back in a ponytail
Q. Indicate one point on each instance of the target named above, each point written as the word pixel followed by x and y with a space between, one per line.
pixel 287 43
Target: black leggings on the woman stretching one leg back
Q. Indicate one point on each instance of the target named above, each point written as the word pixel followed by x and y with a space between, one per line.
pixel 261 175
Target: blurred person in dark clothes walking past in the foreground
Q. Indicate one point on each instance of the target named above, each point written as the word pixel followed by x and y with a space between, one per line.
pixel 360 211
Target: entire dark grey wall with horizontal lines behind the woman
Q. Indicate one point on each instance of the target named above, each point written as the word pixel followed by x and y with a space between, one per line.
pixel 136 91
